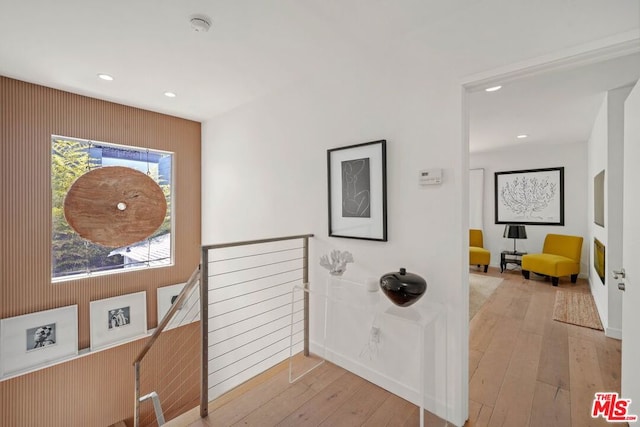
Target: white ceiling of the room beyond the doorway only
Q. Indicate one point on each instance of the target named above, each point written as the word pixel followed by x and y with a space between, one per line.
pixel 551 108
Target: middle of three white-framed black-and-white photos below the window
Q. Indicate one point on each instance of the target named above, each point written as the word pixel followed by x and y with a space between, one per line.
pixel 118 319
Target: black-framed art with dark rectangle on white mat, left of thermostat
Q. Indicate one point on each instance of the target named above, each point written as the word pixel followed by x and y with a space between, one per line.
pixel 358 191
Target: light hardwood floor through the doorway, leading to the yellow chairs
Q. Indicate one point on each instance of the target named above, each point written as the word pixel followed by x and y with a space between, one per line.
pixel 526 369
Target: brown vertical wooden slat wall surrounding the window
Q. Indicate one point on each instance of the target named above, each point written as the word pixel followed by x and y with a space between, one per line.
pixel 96 389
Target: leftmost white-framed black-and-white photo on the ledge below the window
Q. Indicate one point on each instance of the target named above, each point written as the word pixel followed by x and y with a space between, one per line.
pixel 38 339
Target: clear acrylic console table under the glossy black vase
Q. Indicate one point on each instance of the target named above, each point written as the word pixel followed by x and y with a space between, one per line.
pixel 365 333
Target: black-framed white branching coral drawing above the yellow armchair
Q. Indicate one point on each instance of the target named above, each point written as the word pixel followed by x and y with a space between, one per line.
pixel 530 197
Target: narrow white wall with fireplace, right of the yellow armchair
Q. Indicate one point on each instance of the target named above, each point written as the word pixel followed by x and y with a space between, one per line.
pixel 606 150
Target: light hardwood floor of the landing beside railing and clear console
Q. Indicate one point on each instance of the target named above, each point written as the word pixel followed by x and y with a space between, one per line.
pixel 327 396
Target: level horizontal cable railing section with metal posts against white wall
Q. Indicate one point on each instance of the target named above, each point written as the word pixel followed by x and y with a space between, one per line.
pixel 246 309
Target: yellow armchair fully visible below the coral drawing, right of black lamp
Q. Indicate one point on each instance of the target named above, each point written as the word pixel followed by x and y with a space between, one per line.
pixel 560 257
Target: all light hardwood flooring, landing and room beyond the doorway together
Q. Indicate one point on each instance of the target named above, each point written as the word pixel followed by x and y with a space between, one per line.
pixel 525 369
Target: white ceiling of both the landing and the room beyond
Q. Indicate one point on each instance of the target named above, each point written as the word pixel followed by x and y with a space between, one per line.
pixel 257 47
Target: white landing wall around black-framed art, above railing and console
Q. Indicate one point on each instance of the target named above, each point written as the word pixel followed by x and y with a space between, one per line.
pixel 265 175
